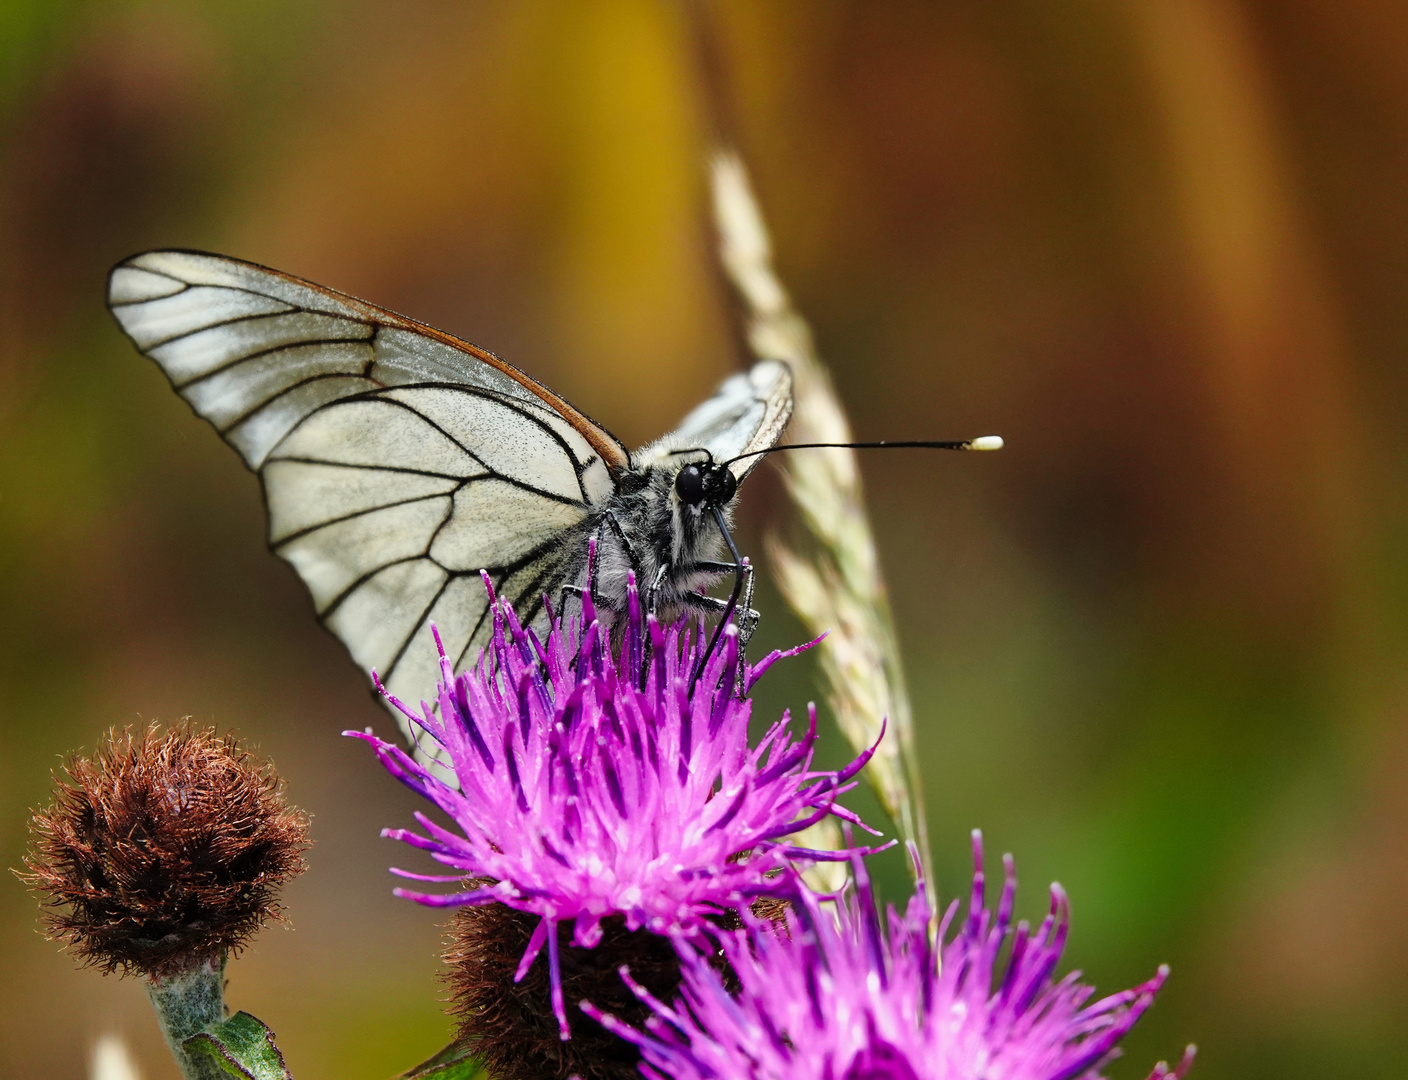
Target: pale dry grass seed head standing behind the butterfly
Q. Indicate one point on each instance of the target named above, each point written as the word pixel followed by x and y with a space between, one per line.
pixel 830 574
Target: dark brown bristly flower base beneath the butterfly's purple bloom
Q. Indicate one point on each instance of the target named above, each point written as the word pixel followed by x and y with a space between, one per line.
pixel 512 1026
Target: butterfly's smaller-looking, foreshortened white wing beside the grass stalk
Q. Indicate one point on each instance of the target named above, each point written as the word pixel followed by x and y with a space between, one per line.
pixel 750 412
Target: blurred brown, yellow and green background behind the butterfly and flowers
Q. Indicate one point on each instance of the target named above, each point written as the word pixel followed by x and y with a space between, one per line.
pixel 1155 646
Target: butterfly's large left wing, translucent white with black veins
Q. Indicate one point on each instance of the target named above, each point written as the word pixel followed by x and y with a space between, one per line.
pixel 398 463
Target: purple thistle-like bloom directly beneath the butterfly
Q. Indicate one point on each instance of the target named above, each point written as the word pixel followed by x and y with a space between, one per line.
pixel 593 782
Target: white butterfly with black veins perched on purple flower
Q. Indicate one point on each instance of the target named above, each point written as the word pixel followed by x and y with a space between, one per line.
pixel 399 463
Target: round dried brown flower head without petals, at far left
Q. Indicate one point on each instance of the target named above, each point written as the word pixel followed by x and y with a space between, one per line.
pixel 164 851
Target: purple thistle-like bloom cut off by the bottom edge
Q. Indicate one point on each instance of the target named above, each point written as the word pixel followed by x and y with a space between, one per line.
pixel 831 998
